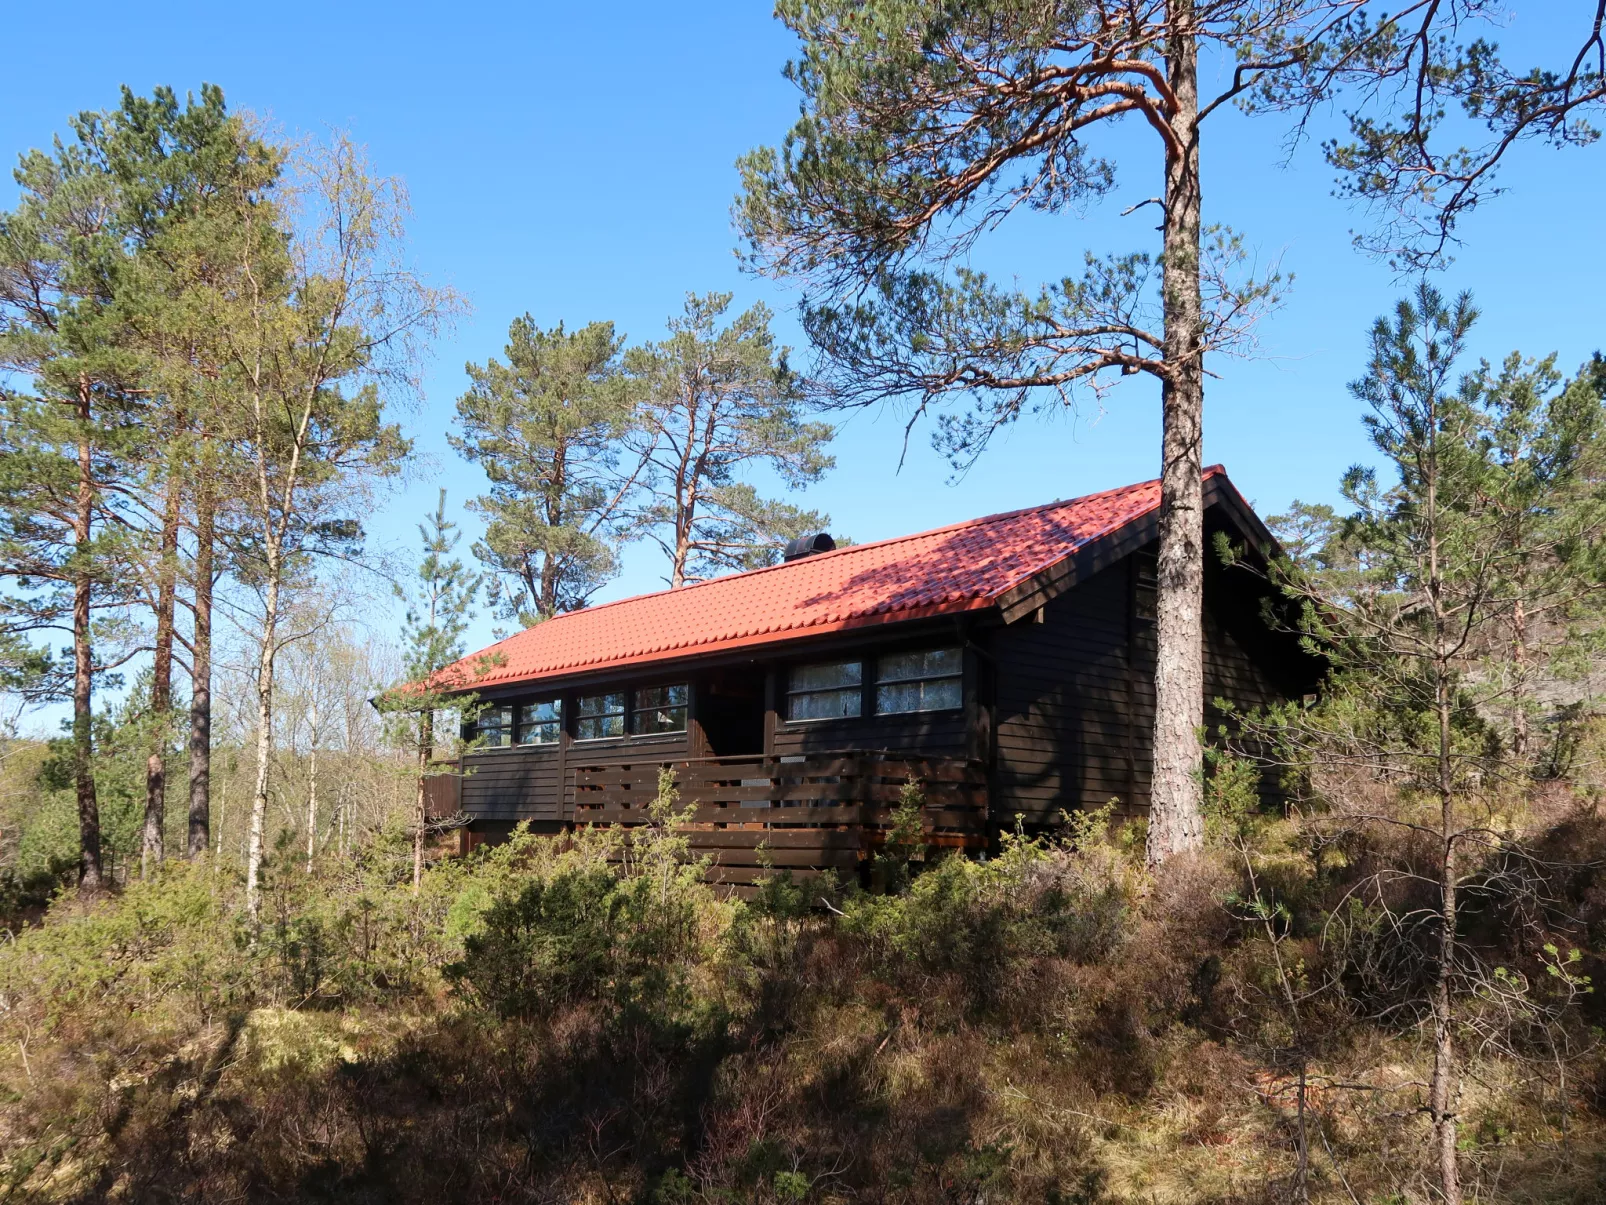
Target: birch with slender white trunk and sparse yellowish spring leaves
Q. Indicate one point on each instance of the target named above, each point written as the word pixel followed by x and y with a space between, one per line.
pixel 322 325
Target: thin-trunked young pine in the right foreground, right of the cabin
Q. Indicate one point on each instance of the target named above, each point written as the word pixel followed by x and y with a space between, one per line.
pixel 1485 513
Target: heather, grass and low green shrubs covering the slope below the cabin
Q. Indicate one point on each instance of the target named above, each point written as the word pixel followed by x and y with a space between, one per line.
pixel 585 1021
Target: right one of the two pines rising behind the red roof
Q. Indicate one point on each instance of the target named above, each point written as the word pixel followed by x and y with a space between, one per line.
pixel 720 401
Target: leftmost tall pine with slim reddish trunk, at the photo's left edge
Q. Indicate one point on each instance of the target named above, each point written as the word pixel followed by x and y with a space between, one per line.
pixel 68 443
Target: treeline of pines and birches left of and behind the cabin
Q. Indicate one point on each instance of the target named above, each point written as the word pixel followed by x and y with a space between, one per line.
pixel 208 337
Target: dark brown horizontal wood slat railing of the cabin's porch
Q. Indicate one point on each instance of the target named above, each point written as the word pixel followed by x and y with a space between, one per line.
pixel 801 814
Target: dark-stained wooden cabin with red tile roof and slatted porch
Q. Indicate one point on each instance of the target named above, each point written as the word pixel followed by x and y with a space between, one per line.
pixel 1005 663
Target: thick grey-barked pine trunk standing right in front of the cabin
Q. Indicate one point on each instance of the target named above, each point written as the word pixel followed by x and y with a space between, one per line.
pixel 1175 820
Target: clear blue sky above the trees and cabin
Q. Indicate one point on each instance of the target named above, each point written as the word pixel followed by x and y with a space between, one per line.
pixel 576 161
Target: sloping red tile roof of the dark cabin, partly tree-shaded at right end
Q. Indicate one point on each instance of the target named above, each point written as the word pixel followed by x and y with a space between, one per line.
pixel 953 570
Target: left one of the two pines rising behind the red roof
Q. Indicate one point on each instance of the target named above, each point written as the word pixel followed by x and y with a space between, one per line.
pixel 547 427
